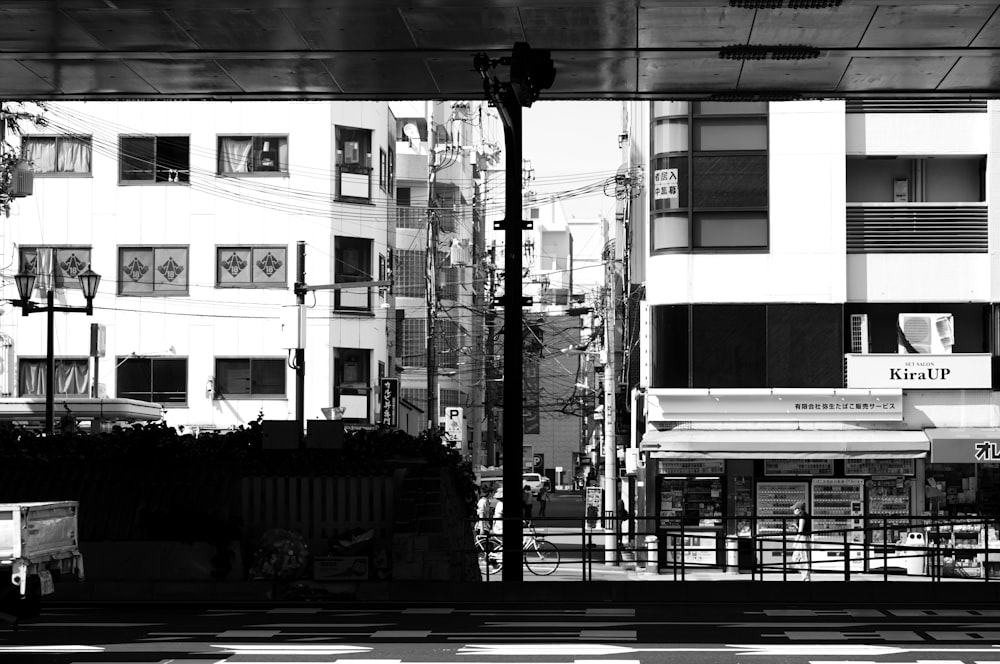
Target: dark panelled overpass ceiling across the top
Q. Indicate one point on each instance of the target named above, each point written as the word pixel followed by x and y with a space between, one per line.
pixel 418 49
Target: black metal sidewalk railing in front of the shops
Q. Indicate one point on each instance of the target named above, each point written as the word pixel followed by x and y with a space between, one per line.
pixel 889 548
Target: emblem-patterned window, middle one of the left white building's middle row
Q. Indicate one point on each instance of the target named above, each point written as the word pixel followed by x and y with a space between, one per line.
pixel 153 270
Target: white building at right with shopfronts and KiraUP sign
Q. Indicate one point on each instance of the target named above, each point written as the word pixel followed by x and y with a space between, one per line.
pixel 820 320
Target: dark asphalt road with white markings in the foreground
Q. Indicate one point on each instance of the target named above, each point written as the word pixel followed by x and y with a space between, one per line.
pixel 430 633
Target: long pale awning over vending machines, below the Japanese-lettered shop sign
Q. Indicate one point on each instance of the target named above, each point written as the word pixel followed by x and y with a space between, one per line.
pixel 784 444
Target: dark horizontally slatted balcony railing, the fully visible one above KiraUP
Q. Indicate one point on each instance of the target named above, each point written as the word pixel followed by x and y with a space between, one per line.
pixel 891 228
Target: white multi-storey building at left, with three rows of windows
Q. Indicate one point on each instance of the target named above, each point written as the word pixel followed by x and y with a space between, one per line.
pixel 192 213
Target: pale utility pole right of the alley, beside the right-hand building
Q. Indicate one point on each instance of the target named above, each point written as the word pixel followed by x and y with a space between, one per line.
pixel 610 448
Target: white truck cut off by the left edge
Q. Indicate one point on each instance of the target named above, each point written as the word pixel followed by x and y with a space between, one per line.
pixel 36 540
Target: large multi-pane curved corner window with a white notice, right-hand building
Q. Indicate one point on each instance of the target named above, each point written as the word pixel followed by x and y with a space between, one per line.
pixel 711 177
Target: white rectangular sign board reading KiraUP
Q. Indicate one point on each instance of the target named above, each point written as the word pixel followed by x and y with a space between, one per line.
pixel 959 371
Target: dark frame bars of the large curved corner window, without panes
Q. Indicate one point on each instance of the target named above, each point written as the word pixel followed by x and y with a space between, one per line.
pixel 692 116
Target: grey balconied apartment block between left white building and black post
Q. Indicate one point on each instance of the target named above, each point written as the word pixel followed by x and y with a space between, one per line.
pixel 443 150
